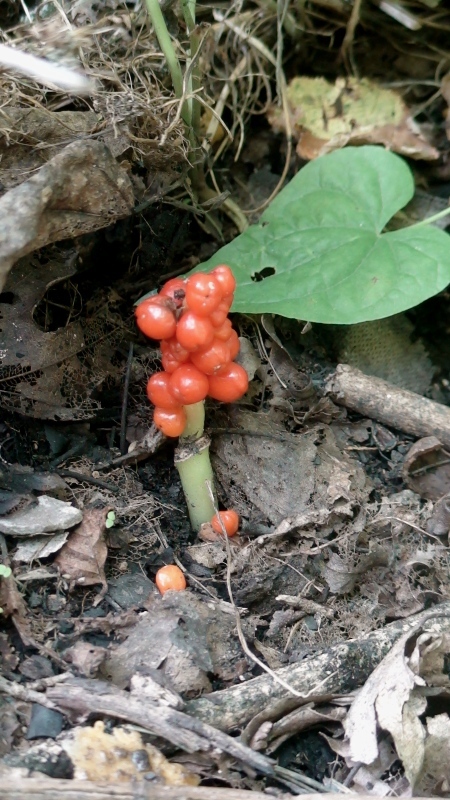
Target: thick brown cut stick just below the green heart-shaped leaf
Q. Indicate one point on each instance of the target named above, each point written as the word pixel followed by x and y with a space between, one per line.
pixel 397 408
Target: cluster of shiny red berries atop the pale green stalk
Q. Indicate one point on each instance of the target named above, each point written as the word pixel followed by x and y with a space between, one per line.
pixel 198 345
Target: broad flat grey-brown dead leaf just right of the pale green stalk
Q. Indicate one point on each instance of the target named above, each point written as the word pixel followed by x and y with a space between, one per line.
pixel 284 475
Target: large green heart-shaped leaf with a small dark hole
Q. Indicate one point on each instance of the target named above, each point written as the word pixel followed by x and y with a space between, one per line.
pixel 318 253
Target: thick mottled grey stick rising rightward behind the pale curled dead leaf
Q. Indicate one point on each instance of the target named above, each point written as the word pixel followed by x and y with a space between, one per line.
pixel 346 666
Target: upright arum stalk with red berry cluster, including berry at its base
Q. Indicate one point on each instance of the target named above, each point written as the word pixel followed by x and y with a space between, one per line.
pixel 198 347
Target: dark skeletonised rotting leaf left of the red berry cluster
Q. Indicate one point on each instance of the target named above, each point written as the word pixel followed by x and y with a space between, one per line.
pixel 42 374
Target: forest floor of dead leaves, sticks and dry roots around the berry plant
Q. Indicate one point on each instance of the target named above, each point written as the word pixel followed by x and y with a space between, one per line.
pixel 309 653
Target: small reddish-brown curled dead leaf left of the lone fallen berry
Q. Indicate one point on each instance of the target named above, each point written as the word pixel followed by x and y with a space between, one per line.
pixel 82 558
